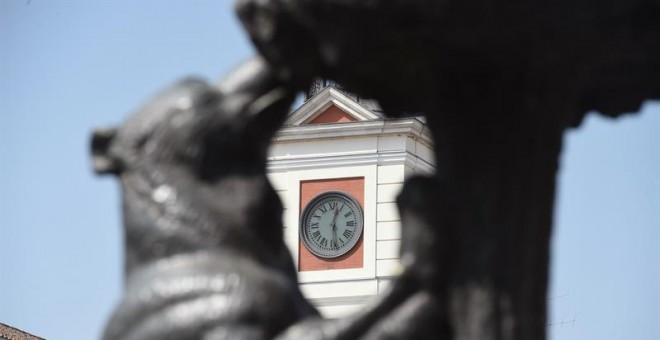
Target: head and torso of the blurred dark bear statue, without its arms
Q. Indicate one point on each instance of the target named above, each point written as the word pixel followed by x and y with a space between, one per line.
pixel 205 257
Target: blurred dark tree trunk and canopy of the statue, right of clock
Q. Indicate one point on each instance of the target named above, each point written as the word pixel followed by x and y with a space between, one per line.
pixel 499 83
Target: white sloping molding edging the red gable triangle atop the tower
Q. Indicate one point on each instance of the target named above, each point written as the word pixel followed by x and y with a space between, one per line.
pixel 324 99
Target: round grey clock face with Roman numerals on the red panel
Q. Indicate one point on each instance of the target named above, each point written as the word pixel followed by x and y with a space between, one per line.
pixel 331 224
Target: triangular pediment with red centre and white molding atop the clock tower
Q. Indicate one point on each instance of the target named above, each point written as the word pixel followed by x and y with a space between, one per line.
pixel 330 106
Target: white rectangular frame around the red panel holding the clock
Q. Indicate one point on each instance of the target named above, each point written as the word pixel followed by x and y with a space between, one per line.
pixel 292 219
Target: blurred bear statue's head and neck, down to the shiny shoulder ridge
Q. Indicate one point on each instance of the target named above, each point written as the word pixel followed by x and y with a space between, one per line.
pixel 192 168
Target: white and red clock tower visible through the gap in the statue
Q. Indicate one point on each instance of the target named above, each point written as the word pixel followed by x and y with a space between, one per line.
pixel 338 166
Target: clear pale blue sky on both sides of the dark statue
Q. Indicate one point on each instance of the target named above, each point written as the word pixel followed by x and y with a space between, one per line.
pixel 69 66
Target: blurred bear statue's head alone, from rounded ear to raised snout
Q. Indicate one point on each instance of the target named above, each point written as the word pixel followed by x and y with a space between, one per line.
pixel 211 130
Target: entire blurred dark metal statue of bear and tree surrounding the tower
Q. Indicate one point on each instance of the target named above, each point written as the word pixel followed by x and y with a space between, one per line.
pixel 499 82
